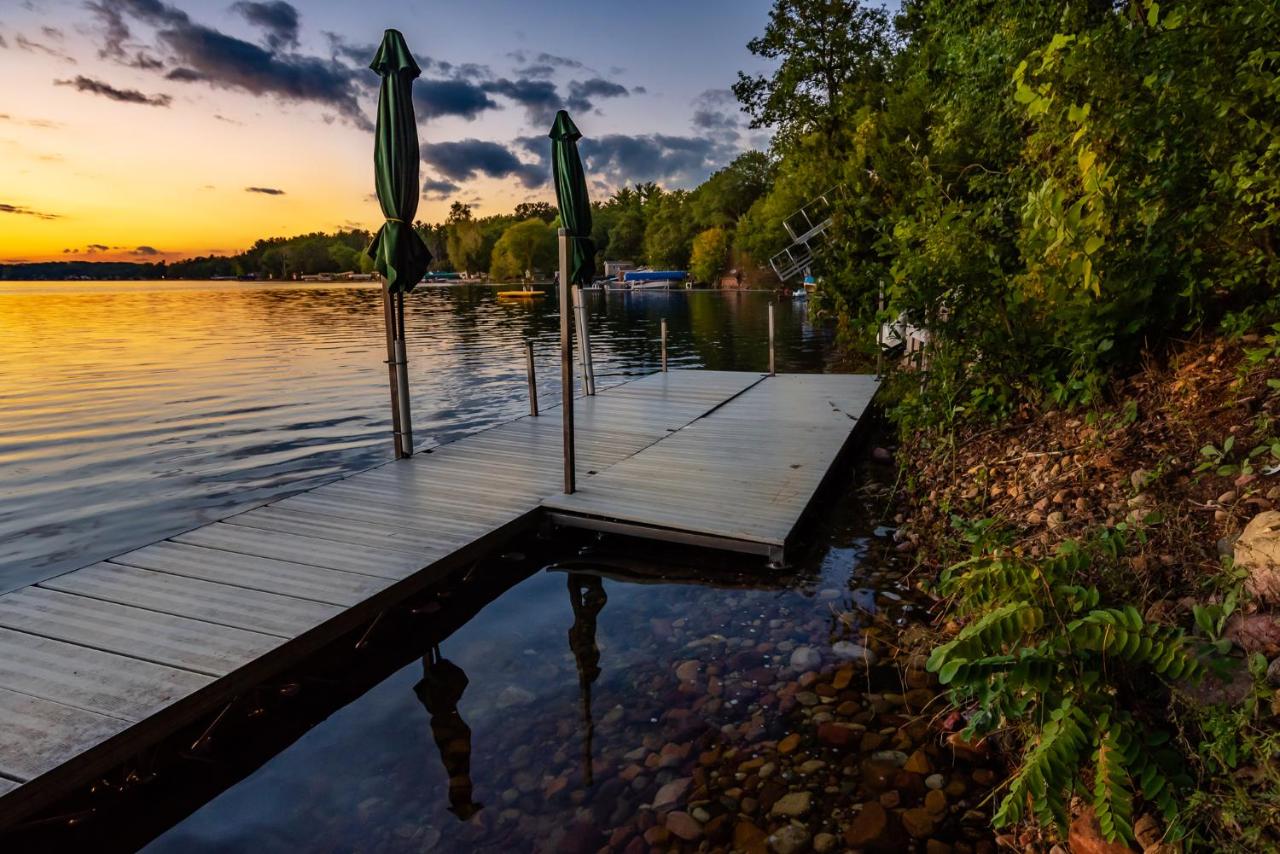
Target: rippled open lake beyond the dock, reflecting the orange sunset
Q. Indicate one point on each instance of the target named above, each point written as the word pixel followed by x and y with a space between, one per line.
pixel 131 412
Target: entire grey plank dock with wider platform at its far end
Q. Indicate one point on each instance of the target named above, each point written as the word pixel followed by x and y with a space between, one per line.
pixel 106 661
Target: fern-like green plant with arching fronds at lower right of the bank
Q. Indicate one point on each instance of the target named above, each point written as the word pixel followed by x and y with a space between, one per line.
pixel 1044 656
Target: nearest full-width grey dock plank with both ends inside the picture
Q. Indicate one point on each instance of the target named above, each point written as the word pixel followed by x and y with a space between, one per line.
pixel 268 614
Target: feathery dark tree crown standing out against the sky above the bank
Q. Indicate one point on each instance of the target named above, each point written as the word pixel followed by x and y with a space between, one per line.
pixel 829 49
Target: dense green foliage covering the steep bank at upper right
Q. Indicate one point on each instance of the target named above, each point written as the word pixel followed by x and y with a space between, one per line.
pixel 1048 188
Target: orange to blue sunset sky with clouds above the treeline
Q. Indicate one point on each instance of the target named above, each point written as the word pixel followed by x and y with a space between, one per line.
pixel 145 130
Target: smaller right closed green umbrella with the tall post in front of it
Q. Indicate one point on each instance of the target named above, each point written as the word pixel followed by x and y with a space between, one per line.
pixel 577 258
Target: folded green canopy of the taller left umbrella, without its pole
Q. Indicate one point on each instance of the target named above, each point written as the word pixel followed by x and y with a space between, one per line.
pixel 399 252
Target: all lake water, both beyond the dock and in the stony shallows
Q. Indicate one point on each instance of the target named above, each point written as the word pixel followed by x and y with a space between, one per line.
pixel 566 696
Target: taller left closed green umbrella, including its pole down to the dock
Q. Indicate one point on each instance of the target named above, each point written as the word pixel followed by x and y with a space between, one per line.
pixel 400 255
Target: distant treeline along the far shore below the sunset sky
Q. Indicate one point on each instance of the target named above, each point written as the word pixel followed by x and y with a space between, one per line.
pixel 694 230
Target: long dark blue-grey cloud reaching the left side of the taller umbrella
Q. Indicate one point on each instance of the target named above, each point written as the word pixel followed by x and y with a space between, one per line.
pixel 203 54
